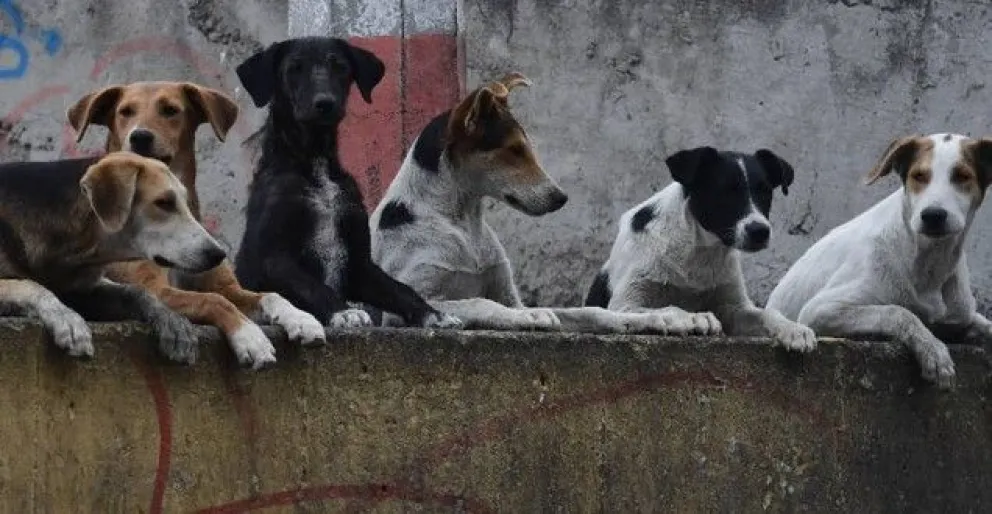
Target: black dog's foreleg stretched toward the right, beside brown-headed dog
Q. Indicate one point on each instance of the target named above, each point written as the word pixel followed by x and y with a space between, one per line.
pixel 372 285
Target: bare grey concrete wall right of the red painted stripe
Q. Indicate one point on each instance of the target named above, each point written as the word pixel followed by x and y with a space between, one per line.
pixel 621 84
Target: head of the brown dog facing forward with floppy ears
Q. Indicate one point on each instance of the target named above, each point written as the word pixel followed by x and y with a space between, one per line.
pixel 154 119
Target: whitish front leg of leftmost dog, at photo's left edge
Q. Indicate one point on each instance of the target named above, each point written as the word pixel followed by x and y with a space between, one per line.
pixel 68 329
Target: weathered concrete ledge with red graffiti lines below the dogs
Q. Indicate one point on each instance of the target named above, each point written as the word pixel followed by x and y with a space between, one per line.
pixel 398 420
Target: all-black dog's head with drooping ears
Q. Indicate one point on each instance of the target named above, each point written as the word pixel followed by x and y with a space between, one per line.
pixel 310 77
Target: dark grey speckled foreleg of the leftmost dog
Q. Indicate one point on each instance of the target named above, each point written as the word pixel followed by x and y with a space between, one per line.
pixel 110 301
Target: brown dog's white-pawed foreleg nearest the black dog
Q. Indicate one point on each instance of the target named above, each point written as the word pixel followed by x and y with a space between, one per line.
pixel 271 307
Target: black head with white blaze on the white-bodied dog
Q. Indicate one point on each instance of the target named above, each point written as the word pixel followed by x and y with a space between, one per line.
pixel 730 193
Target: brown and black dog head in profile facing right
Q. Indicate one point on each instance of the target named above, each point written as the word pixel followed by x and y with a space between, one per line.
pixel 487 145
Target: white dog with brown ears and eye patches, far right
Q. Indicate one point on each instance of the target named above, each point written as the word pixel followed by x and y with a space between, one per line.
pixel 898 270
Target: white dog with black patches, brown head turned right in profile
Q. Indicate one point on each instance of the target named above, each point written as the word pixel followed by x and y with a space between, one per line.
pixel 429 231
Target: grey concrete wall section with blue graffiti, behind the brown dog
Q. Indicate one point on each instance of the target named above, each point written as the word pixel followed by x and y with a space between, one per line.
pixel 67 48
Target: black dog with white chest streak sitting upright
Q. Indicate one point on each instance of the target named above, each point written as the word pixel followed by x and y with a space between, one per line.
pixel 307 234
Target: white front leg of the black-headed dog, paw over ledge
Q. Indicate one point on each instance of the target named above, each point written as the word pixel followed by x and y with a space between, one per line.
pixel 749 320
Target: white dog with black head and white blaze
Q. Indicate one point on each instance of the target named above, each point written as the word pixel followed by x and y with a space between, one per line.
pixel 681 247
